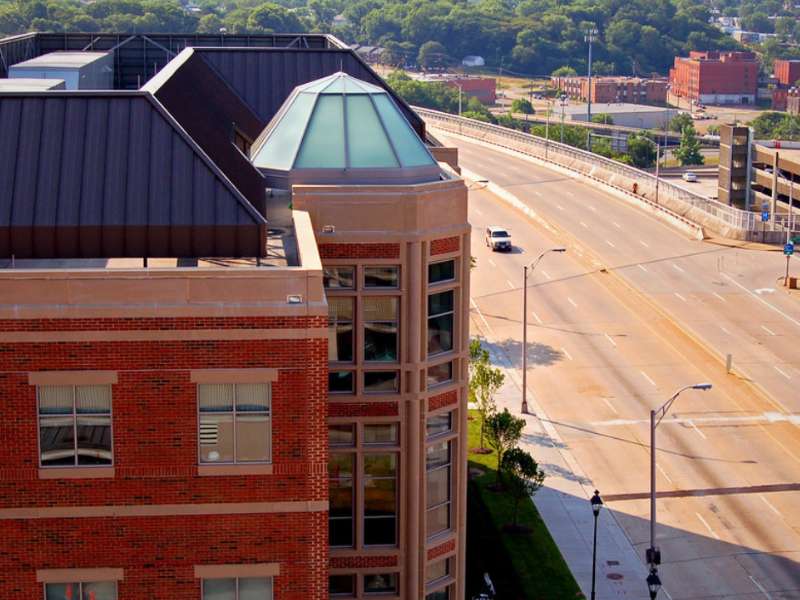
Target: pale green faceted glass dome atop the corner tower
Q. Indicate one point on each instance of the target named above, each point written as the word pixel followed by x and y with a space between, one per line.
pixel 342 128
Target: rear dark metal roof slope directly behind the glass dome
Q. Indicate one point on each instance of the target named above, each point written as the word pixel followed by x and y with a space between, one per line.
pixel 264 77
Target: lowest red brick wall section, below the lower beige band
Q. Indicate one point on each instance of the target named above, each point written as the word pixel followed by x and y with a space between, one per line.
pixel 158 554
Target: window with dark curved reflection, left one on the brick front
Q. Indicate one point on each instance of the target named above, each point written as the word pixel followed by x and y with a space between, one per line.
pixel 74 425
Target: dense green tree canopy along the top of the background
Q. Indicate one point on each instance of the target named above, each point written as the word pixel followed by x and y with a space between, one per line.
pixel 530 36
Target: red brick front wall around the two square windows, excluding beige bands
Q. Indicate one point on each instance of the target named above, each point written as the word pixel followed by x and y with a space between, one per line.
pixel 154 405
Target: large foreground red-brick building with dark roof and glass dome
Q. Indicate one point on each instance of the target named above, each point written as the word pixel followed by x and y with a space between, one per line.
pixel 234 337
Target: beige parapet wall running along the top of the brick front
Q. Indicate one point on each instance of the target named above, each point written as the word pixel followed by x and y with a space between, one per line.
pixel 169 292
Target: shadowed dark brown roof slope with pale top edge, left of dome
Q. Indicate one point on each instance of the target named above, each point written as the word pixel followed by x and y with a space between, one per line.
pixel 211 113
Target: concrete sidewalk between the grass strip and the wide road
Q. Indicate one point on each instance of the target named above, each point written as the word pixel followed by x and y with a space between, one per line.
pixel 563 502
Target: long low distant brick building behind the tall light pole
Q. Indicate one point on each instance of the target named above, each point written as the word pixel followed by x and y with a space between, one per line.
pixel 633 90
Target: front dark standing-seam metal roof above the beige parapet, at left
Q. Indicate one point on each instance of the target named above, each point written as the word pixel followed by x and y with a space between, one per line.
pixel 90 174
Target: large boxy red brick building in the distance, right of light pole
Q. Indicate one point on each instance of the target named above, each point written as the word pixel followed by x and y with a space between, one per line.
pixel 715 77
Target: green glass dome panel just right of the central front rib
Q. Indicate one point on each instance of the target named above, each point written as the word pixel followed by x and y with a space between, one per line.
pixel 367 142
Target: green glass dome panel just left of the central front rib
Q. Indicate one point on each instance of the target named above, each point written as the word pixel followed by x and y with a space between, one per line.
pixel 323 145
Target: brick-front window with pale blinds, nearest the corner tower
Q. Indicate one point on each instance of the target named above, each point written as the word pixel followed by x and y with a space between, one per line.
pixel 235 424
